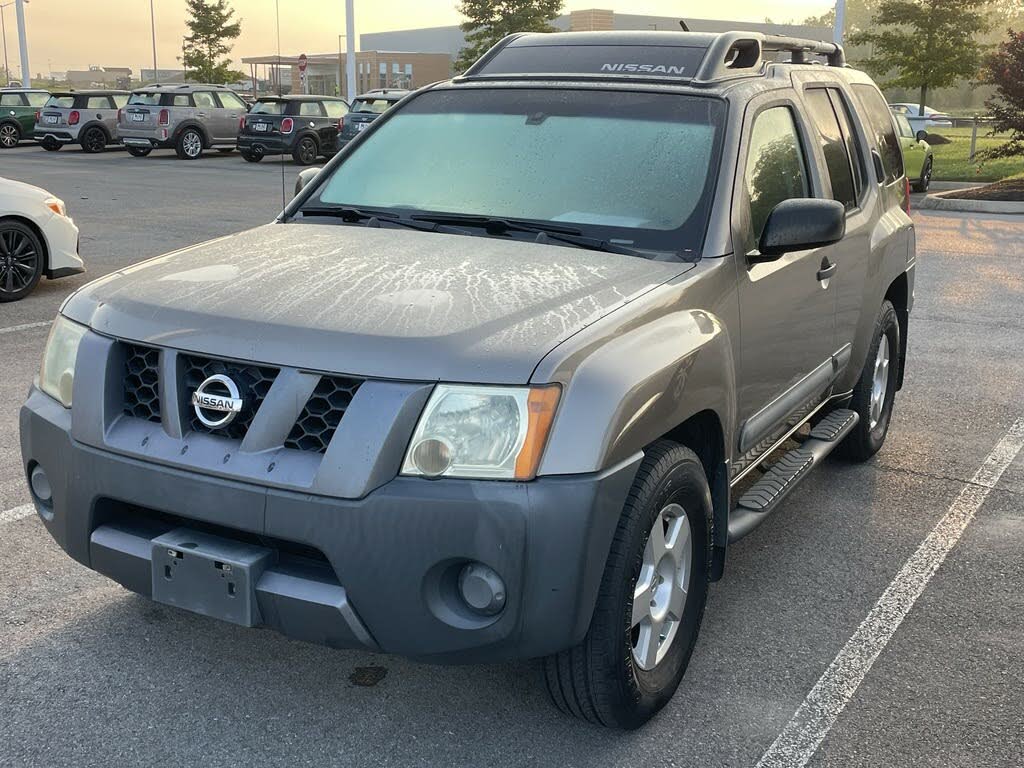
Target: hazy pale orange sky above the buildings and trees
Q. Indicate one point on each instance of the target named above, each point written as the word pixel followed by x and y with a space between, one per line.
pixel 76 34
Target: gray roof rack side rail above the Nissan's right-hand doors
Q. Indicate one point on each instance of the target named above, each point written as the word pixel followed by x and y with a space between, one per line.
pixel 741 54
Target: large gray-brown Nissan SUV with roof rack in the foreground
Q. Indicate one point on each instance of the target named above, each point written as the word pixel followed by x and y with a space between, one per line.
pixel 513 395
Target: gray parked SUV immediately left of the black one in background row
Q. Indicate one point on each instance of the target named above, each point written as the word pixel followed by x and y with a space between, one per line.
pixel 188 119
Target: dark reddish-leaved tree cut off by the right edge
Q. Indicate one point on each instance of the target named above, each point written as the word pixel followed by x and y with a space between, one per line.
pixel 1003 68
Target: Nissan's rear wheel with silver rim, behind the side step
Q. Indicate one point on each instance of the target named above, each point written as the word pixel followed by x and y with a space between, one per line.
pixel 876 391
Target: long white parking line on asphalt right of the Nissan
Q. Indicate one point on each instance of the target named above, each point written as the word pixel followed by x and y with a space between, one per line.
pixel 816 717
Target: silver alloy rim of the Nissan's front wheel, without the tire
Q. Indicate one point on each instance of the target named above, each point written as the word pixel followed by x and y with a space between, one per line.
pixel 660 595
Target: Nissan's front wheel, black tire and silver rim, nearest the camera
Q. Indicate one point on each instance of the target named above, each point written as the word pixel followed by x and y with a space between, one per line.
pixel 652 600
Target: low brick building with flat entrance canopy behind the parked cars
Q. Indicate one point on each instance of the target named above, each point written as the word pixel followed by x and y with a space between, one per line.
pixel 374 69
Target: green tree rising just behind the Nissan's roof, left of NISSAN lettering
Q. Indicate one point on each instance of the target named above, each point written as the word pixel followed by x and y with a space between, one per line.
pixel 490 21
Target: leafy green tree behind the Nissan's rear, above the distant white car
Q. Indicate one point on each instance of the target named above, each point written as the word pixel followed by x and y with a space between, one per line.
pixel 925 45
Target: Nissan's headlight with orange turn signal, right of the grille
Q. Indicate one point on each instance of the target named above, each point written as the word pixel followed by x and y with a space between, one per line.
pixel 483 433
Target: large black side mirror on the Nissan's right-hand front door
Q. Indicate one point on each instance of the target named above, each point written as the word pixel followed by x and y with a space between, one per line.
pixel 801 225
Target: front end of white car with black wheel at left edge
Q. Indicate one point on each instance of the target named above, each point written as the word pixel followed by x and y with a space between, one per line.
pixel 37 239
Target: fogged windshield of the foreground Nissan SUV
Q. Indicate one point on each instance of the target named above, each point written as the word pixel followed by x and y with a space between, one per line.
pixel 636 169
